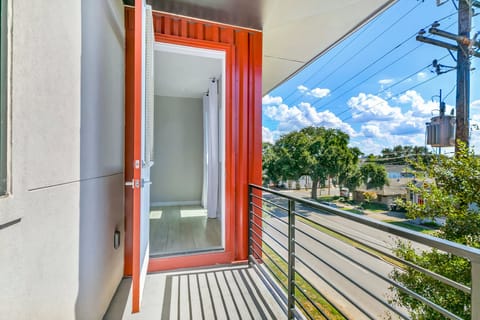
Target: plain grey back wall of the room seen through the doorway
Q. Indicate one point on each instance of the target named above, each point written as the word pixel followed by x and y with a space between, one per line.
pixel 177 174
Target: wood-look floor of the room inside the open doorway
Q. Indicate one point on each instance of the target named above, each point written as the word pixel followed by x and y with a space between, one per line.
pixel 182 230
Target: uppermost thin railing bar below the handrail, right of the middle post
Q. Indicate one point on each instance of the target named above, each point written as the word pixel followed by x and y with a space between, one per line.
pixel 431 274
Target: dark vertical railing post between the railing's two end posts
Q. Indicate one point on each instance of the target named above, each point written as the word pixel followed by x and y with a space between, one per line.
pixel 291 259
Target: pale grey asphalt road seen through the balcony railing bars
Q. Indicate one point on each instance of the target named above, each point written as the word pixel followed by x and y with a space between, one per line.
pixel 351 279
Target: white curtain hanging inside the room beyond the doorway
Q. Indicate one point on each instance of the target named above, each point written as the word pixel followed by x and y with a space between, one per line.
pixel 211 158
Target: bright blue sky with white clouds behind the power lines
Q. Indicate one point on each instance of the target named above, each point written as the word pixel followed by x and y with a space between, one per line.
pixel 378 84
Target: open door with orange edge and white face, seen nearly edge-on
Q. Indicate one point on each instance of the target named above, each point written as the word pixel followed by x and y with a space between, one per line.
pixel 138 148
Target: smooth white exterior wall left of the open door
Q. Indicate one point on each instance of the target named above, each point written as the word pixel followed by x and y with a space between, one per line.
pixel 67 106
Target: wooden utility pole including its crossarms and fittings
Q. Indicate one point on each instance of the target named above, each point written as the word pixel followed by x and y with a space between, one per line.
pixel 464 47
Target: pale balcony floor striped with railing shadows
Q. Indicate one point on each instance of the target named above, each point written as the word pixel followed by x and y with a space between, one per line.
pixel 233 292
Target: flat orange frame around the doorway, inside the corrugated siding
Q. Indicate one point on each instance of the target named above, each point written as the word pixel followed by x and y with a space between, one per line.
pixel 227 255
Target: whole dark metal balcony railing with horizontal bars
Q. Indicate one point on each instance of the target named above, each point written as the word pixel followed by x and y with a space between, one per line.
pixel 290 238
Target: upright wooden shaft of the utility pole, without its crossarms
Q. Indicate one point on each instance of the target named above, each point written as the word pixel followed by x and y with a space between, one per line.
pixel 462 111
